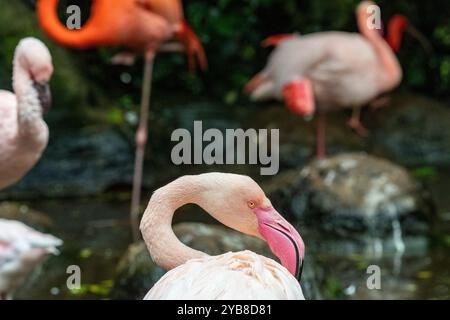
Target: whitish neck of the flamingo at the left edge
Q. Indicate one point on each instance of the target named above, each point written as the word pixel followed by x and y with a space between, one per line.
pixel 31 127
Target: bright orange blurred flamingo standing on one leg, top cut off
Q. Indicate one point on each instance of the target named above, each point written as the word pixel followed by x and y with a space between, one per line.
pixel 141 26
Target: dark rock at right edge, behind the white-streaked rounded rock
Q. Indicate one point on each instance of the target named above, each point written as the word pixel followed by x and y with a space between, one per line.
pixel 413 130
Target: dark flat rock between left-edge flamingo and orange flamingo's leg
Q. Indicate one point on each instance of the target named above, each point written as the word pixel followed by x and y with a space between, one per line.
pixel 77 164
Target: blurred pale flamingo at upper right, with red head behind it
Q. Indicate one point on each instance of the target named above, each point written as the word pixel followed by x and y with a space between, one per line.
pixel 327 71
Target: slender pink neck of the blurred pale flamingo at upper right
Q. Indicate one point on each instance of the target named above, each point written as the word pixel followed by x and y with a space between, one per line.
pixel 391 71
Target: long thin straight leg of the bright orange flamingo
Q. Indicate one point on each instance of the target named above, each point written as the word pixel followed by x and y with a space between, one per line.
pixel 141 142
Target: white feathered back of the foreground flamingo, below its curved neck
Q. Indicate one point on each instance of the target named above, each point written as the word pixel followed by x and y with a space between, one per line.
pixel 232 276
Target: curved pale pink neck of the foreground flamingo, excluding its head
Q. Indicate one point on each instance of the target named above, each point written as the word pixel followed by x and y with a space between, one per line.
pixel 156 225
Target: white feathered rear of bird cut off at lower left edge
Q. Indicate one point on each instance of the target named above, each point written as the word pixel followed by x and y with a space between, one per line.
pixel 21 250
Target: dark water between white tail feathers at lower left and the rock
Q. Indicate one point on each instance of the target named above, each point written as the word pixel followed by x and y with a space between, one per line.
pixel 95 233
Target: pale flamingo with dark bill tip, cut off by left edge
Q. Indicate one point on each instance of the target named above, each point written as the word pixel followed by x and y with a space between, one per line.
pixel 23 132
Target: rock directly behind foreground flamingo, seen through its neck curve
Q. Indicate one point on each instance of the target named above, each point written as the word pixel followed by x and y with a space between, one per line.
pixel 137 273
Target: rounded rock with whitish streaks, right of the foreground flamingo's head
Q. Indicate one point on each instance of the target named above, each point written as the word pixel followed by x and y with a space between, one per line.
pixel 353 194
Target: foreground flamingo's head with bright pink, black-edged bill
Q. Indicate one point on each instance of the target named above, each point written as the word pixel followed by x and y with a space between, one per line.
pixel 239 203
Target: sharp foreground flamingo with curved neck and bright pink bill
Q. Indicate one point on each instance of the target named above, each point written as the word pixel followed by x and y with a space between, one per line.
pixel 239 203
